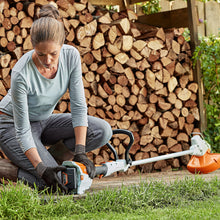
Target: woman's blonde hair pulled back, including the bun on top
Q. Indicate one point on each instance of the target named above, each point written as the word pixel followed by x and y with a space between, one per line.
pixel 48 26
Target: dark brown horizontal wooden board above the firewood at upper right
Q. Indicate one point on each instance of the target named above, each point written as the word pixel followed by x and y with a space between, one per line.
pixel 170 19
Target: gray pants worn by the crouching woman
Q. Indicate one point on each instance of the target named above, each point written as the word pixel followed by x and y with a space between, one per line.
pixel 45 133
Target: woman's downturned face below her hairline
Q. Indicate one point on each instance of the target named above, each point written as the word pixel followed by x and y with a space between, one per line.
pixel 48 53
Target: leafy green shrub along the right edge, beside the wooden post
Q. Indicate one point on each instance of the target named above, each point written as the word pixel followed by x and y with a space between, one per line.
pixel 208 53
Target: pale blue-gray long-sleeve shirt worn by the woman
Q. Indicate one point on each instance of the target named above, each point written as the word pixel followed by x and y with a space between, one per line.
pixel 33 97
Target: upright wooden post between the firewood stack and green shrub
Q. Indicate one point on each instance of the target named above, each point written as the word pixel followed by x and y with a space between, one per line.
pixel 197 70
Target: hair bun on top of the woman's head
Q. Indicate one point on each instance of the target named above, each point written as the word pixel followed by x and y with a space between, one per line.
pixel 49 10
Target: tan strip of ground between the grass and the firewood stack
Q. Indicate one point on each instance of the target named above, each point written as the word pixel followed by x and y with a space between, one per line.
pixel 126 180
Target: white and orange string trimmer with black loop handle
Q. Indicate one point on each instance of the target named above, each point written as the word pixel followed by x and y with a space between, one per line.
pixel 202 161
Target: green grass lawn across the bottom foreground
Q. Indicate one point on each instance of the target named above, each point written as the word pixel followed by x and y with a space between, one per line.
pixel 186 199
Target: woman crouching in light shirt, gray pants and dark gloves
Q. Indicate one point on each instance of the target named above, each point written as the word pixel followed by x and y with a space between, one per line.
pixel 38 81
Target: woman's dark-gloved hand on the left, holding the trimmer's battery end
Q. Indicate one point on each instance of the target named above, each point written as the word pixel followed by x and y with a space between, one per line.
pixel 49 175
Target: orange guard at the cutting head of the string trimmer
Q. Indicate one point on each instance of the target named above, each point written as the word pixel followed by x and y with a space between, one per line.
pixel 207 163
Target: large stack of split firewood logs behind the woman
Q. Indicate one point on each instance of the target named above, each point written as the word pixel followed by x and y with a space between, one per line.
pixel 136 77
